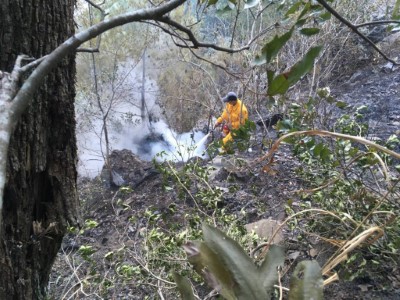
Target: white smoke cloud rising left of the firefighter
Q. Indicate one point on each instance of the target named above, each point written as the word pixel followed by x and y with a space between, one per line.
pixel 145 139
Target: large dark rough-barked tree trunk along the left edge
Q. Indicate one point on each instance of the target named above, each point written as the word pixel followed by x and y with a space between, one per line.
pixel 40 195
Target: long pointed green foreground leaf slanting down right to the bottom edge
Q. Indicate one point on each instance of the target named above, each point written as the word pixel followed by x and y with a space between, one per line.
pixel 247 284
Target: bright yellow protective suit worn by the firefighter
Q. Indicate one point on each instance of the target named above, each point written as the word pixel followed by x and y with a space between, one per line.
pixel 233 116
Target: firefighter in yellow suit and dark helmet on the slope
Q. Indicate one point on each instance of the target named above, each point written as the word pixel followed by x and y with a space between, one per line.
pixel 234 115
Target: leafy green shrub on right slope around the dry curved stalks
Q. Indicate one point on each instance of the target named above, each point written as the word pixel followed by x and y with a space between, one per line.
pixel 343 179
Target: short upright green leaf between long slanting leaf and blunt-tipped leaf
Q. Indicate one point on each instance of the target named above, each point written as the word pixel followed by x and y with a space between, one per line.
pixel 269 267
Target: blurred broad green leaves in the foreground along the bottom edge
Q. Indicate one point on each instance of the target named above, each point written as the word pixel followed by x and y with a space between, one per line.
pixel 226 267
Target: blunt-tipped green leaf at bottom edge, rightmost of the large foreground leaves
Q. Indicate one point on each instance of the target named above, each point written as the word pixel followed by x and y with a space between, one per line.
pixel 306 282
